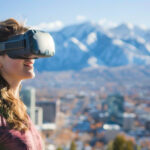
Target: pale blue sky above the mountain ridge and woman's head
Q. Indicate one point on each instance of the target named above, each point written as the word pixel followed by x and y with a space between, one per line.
pixel 58 13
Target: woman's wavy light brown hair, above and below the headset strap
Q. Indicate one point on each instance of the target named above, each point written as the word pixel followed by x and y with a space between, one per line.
pixel 11 108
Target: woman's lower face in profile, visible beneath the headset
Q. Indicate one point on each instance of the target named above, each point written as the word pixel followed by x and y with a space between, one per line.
pixel 16 69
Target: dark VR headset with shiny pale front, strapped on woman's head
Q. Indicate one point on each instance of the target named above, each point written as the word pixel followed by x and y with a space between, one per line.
pixel 31 44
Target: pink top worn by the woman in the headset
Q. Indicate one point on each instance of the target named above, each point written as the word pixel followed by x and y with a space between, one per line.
pixel 15 140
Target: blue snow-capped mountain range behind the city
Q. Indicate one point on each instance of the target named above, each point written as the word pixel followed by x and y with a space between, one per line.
pixel 87 44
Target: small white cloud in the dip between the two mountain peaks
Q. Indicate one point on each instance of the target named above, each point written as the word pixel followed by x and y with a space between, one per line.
pixel 106 23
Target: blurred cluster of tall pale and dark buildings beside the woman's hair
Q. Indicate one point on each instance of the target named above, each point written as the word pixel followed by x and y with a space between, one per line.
pixel 42 113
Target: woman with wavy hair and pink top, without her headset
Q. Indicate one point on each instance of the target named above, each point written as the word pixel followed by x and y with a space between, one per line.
pixel 16 129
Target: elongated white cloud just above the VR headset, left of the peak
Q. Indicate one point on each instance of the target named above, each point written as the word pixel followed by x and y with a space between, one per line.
pixel 51 26
